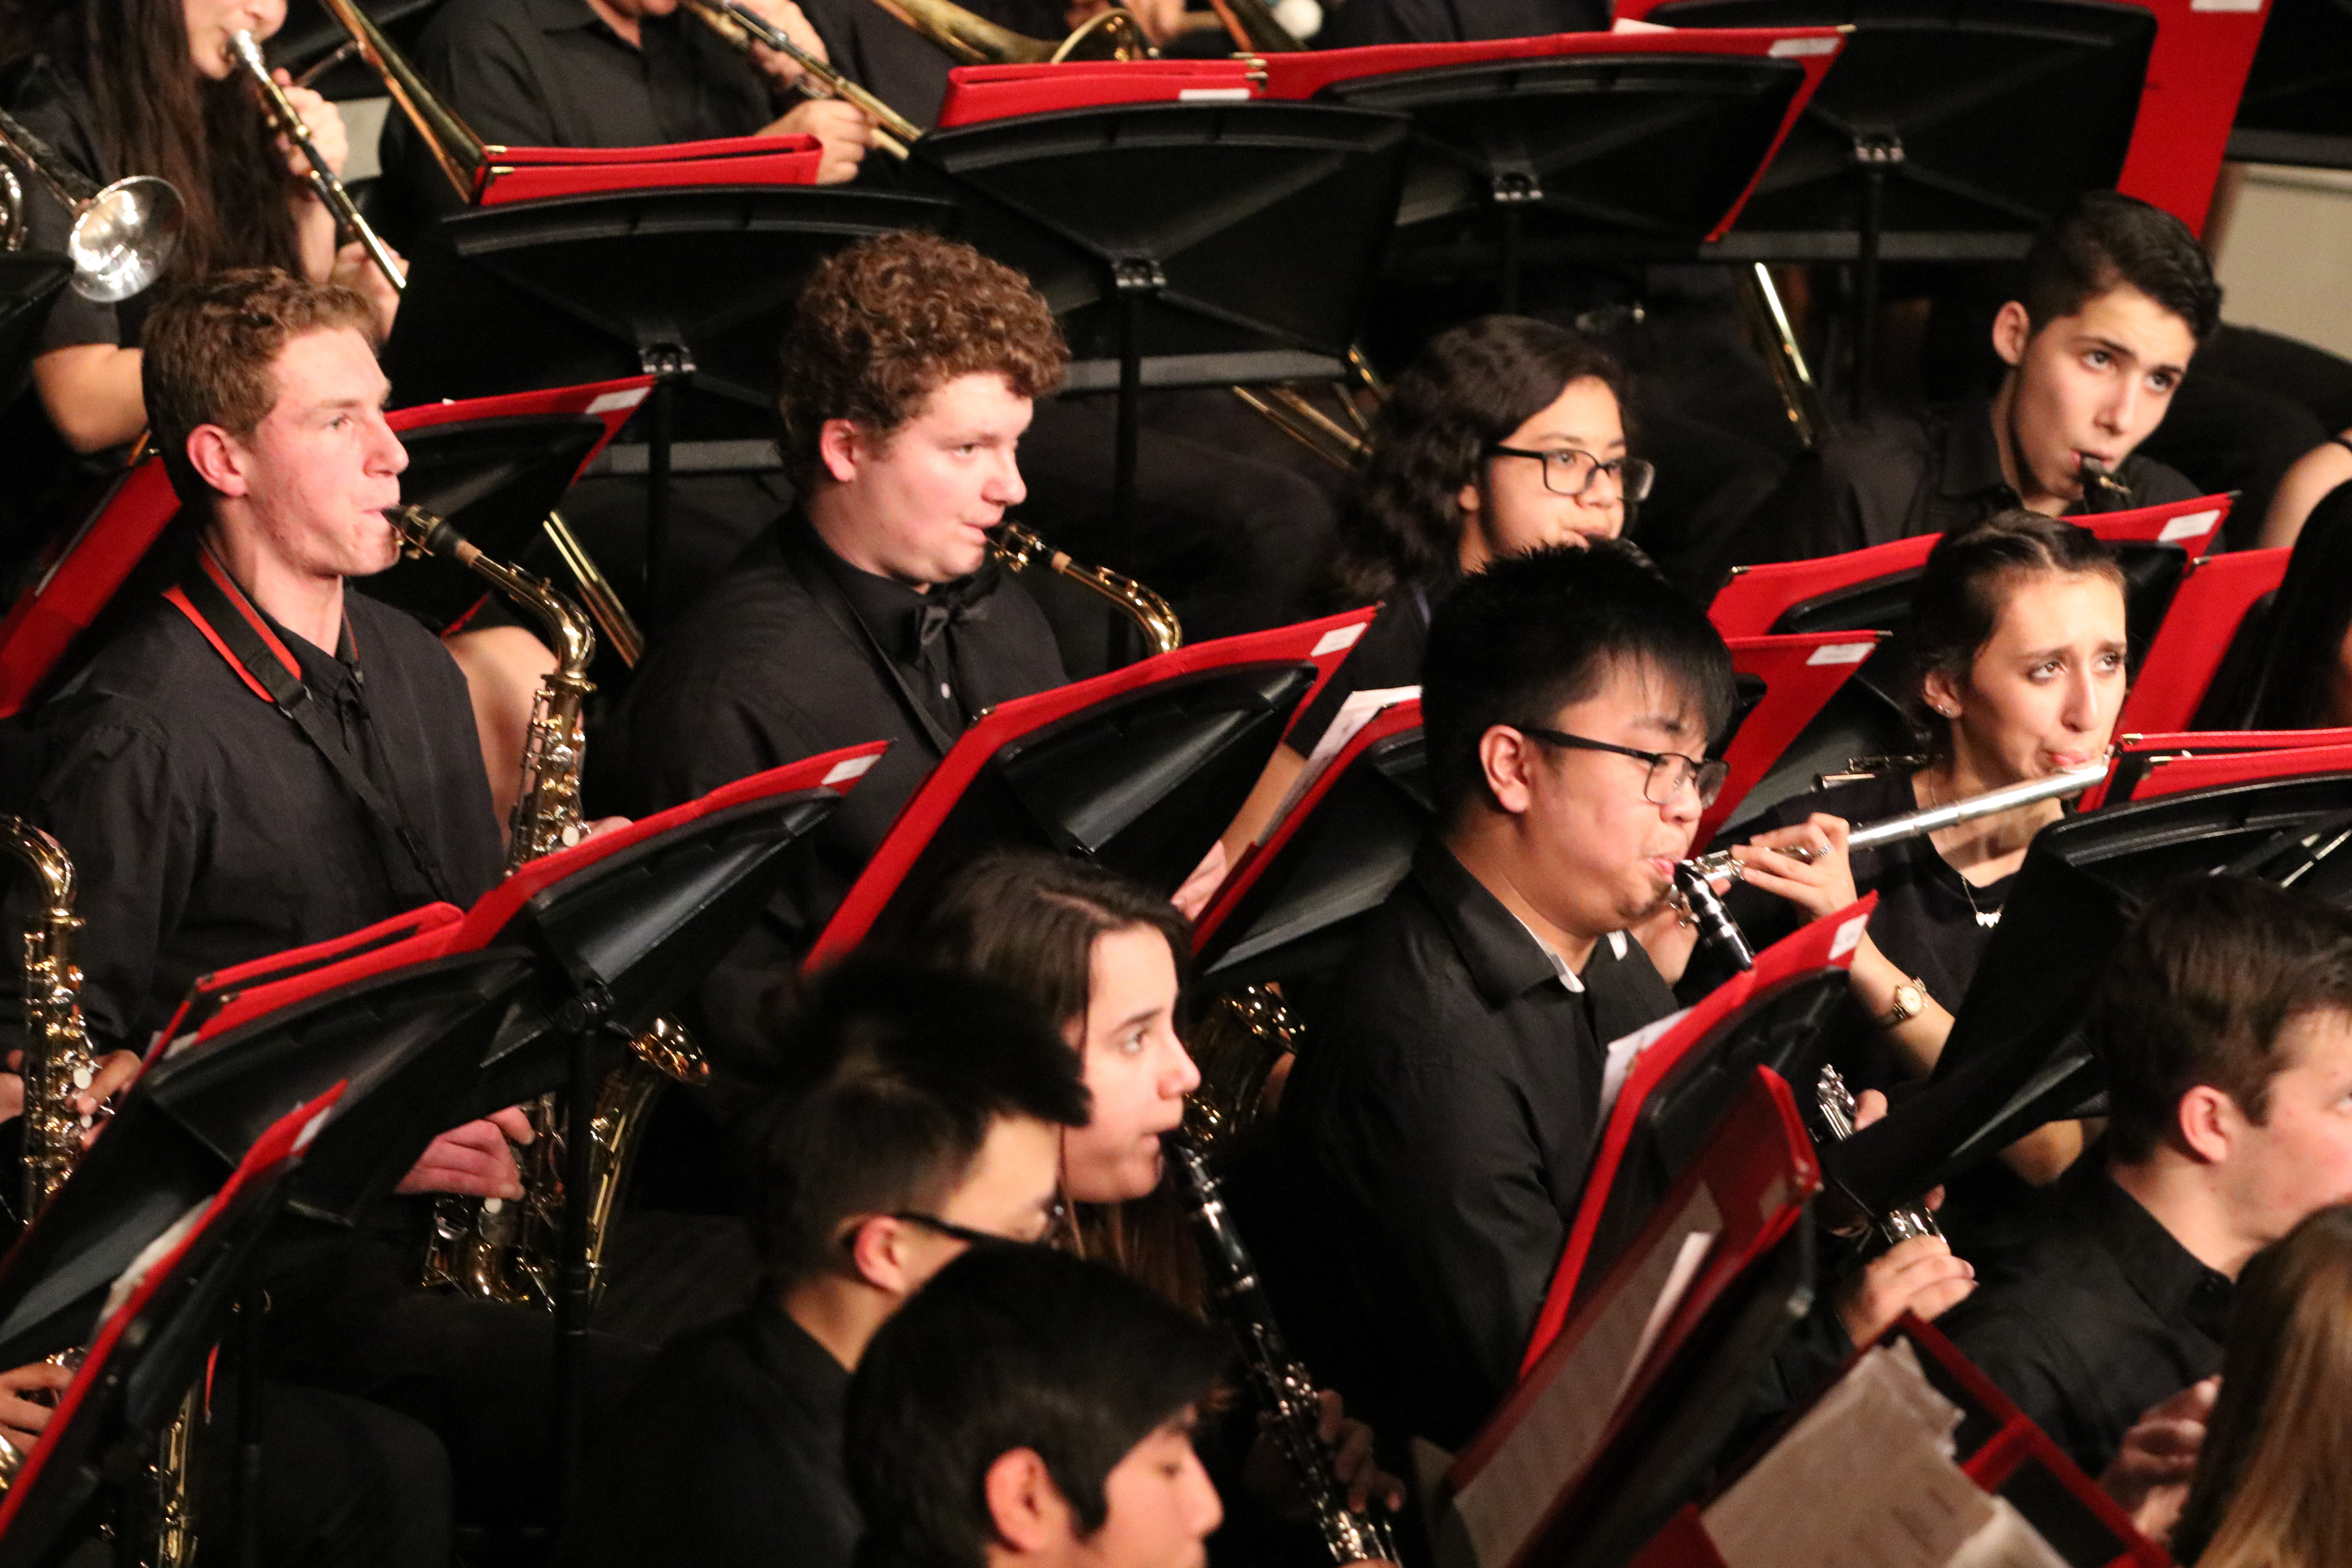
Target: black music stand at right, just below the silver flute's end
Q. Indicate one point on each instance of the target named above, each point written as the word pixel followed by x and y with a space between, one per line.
pixel 2017 1054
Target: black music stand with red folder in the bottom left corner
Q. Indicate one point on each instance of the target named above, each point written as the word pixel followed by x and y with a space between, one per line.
pixel 163 1315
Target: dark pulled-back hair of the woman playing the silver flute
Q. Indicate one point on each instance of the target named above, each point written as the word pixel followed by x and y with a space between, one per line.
pixel 1967 579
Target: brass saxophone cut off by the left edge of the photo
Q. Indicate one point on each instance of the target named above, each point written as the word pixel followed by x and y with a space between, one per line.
pixel 58 1068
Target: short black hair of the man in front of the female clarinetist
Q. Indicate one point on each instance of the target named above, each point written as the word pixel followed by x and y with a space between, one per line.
pixel 893 1078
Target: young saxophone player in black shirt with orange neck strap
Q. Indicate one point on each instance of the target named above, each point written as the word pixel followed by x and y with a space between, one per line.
pixel 258 760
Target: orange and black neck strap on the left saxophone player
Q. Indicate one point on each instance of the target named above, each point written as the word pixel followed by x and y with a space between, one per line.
pixel 260 657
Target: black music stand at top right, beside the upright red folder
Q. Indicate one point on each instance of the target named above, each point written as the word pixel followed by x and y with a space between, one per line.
pixel 1946 133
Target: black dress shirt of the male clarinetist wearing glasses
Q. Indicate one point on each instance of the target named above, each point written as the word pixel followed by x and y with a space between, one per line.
pixel 1443 1125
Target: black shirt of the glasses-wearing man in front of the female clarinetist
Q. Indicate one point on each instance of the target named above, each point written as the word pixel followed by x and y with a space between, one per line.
pixel 730 1459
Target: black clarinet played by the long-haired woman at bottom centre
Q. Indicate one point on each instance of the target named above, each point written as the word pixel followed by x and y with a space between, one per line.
pixel 1281 1381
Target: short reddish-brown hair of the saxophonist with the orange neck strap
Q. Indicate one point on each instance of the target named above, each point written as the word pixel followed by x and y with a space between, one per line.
pixel 211 349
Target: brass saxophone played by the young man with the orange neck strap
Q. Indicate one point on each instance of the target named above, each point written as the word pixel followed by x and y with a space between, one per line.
pixel 486 1247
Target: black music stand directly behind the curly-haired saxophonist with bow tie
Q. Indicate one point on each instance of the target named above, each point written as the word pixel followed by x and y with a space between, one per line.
pixel 1175 239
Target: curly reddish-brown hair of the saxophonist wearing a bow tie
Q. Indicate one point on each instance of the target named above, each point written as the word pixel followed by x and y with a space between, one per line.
pixel 890 321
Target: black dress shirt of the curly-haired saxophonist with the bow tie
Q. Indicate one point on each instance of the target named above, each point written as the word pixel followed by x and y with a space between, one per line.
pixel 791 655
